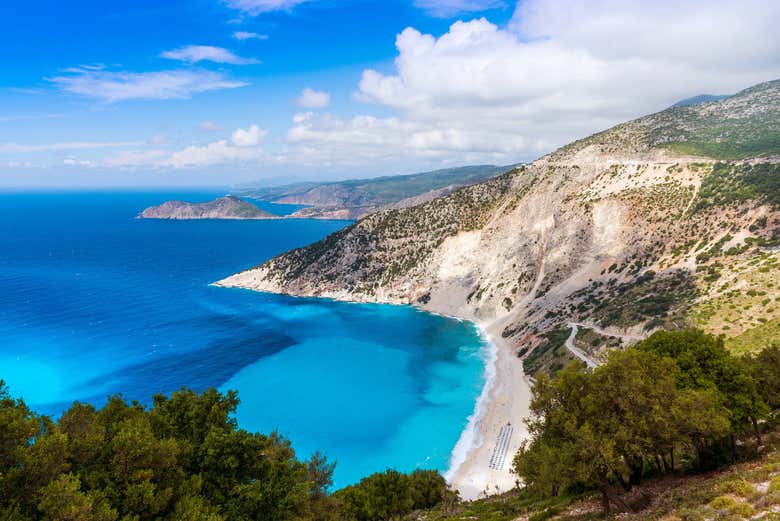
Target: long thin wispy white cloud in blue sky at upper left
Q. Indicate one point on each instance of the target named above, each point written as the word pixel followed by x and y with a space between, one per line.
pixel 120 86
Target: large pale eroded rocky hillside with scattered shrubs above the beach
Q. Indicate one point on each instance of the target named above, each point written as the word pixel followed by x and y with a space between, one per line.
pixel 620 230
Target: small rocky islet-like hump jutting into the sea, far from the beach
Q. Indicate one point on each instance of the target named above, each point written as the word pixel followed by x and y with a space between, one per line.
pixel 227 207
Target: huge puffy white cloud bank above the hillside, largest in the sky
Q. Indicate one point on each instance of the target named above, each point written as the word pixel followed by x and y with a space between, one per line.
pixel 484 93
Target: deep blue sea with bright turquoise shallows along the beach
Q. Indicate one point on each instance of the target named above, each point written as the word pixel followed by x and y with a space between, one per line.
pixel 95 302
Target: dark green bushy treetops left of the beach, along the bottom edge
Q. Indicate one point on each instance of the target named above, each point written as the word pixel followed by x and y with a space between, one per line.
pixel 182 459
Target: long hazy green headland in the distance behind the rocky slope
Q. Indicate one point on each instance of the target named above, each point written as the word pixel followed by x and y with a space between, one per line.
pixel 355 198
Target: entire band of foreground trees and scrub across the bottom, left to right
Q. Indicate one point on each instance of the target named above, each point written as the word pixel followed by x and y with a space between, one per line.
pixel 677 402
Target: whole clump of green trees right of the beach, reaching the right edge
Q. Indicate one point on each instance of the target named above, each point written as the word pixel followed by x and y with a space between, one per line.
pixel 675 401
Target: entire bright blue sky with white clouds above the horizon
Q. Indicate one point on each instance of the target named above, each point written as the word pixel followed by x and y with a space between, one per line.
pixel 142 93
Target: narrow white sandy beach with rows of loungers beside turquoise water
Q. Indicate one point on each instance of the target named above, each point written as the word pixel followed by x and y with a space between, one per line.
pixel 505 400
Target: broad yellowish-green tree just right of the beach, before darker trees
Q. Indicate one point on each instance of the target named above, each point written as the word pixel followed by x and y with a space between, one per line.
pixel 601 428
